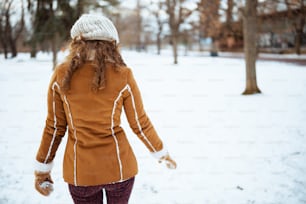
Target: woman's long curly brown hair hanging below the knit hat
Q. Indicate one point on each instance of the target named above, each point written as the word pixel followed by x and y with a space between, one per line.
pixel 99 52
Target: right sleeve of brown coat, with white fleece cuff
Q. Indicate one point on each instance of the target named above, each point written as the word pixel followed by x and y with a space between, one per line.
pixel 138 119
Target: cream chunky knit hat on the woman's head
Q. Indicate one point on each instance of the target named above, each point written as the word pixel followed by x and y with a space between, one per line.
pixel 94 27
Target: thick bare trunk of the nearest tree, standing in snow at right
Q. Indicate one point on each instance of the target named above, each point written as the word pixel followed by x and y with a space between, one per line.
pixel 250 48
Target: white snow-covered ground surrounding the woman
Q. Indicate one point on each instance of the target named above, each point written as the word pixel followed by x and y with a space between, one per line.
pixel 230 149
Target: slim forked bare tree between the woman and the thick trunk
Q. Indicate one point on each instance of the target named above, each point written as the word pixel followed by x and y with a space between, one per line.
pixel 177 15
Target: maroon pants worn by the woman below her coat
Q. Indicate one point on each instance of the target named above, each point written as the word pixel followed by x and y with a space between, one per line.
pixel 116 193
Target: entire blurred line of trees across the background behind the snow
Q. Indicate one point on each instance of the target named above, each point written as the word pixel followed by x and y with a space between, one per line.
pixel 248 26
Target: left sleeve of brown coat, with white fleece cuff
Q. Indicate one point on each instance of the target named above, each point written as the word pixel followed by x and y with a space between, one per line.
pixel 54 130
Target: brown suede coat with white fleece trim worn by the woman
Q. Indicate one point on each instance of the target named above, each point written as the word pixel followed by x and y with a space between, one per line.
pixel 97 151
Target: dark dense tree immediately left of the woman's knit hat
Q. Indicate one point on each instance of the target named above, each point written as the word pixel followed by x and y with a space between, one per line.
pixel 52 20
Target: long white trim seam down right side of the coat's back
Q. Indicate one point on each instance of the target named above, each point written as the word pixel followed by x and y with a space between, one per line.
pixel 113 131
